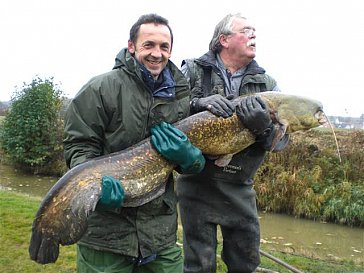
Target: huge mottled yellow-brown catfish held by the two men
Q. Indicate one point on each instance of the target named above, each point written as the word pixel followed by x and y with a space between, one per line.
pixel 62 216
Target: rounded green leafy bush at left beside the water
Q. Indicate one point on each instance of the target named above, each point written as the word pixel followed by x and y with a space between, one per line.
pixel 31 133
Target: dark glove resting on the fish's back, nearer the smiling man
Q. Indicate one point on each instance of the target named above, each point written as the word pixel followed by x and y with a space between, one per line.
pixel 216 104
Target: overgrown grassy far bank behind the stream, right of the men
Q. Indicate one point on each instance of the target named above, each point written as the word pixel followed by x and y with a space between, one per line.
pixel 309 179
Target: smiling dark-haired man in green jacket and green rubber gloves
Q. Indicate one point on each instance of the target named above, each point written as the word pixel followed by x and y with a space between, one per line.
pixel 142 95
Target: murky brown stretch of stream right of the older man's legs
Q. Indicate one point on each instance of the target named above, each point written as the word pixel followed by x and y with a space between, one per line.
pixel 313 239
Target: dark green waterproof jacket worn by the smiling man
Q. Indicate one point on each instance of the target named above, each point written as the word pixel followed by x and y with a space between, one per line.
pixel 112 112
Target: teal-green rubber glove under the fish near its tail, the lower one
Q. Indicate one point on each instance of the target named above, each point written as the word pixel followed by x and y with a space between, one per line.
pixel 112 194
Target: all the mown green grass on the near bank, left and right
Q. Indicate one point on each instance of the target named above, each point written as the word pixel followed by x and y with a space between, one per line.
pixel 16 216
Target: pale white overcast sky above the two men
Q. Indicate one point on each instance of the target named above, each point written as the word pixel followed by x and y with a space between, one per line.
pixel 313 48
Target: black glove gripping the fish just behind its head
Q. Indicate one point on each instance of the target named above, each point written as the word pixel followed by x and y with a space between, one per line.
pixel 255 116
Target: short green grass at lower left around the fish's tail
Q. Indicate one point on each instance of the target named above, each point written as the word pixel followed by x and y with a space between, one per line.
pixel 17 212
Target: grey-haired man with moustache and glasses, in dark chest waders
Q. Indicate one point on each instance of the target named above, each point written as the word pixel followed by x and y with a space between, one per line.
pixel 225 196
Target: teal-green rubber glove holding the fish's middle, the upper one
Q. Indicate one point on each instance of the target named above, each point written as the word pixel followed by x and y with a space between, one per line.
pixel 175 146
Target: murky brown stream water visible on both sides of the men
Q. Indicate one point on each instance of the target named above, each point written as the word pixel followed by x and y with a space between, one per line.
pixel 278 232
